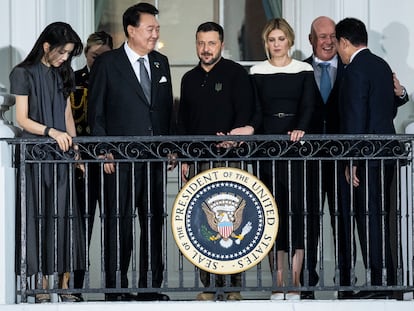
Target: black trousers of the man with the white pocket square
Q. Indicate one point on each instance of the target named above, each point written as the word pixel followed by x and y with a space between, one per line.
pixel 123 200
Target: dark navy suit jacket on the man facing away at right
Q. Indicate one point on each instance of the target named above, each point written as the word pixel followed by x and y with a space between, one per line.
pixel 367 100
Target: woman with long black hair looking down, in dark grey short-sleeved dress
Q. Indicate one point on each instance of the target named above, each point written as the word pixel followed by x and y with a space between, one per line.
pixel 42 84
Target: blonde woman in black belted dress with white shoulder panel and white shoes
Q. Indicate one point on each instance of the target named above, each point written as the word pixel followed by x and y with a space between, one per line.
pixel 285 91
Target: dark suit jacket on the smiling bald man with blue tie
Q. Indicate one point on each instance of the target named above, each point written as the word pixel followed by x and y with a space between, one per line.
pixel 325 118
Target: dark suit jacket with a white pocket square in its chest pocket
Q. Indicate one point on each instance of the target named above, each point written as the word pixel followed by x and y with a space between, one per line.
pixel 117 104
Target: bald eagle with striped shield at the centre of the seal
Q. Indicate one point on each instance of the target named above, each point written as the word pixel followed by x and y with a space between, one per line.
pixel 224 213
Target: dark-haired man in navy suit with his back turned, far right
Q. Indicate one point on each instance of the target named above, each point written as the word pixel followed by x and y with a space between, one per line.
pixel 367 106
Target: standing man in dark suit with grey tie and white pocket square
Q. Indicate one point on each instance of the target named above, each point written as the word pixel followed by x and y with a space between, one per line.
pixel 131 95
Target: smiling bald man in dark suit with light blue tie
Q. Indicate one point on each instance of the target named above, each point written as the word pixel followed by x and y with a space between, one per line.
pixel 325 120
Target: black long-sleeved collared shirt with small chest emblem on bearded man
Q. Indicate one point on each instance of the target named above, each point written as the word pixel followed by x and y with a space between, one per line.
pixel 215 101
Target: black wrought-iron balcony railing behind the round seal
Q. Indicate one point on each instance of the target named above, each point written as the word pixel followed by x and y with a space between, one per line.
pixel 58 231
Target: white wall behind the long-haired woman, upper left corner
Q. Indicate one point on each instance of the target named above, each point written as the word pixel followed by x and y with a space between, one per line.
pixel 23 20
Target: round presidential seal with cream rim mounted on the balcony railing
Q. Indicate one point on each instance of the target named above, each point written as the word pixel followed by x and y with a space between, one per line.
pixel 224 220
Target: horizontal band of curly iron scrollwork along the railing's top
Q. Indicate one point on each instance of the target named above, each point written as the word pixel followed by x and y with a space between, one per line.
pixel 246 148
